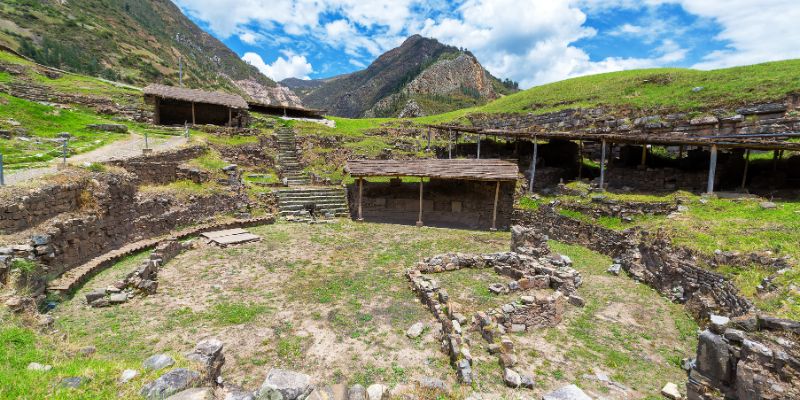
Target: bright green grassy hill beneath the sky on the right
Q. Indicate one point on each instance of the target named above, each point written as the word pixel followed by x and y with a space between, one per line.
pixel 661 90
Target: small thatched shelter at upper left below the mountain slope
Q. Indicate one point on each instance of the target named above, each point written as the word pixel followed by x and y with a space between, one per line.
pixel 178 106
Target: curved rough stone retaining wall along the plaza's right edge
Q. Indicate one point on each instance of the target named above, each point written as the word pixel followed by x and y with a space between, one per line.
pixel 651 259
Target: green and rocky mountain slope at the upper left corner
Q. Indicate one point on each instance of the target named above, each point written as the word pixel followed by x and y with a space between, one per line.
pixel 132 41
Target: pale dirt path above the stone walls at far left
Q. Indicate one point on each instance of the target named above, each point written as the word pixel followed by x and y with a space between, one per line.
pixel 120 149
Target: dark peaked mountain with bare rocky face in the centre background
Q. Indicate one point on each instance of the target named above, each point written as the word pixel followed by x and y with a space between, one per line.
pixel 420 77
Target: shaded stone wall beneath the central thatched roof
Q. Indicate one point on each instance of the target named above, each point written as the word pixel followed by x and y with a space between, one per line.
pixel 466 204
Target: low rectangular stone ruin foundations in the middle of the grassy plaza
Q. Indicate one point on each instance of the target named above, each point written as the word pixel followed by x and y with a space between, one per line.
pixel 532 266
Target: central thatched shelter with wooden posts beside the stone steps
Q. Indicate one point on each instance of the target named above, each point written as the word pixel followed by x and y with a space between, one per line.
pixel 475 194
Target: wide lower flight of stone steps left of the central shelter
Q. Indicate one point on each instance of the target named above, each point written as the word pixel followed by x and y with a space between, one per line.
pixel 329 201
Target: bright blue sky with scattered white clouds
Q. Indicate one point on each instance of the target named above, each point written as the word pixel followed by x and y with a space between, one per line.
pixel 531 41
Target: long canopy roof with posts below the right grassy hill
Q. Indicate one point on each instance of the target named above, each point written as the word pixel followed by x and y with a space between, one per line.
pixel 776 142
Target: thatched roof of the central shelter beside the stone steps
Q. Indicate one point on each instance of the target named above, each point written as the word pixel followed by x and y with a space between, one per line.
pixel 481 170
